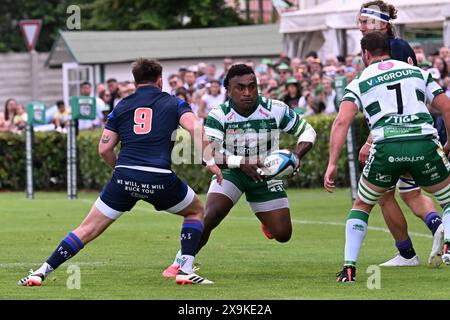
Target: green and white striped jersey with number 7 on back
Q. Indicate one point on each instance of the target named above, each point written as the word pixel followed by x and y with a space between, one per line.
pixel 393 96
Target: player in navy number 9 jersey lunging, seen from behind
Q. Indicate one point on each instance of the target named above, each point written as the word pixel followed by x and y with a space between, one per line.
pixel 143 123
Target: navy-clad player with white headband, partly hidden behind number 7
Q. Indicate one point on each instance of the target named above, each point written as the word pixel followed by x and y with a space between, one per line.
pixel 377 16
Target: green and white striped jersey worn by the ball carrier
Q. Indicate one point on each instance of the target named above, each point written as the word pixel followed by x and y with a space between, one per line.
pixel 257 134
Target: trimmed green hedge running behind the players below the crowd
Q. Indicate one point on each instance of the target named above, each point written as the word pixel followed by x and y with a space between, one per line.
pixel 49 158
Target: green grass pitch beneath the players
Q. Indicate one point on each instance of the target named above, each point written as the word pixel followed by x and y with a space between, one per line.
pixel 127 260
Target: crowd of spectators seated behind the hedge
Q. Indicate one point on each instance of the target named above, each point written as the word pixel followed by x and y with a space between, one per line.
pixel 305 85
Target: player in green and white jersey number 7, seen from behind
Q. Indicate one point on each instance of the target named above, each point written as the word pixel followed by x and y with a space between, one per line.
pixel 393 96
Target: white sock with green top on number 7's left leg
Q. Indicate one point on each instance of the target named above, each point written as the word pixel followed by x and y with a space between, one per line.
pixel 355 232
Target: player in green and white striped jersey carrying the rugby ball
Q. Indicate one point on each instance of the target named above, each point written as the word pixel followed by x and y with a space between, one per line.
pixel 244 130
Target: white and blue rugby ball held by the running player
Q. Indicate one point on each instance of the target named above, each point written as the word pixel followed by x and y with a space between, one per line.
pixel 279 165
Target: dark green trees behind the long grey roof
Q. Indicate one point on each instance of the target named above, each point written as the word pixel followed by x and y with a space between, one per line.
pixel 109 15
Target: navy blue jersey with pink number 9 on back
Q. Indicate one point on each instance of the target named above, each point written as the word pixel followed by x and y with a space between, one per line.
pixel 145 122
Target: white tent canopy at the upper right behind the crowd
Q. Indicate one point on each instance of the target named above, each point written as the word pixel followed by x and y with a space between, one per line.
pixel 316 28
